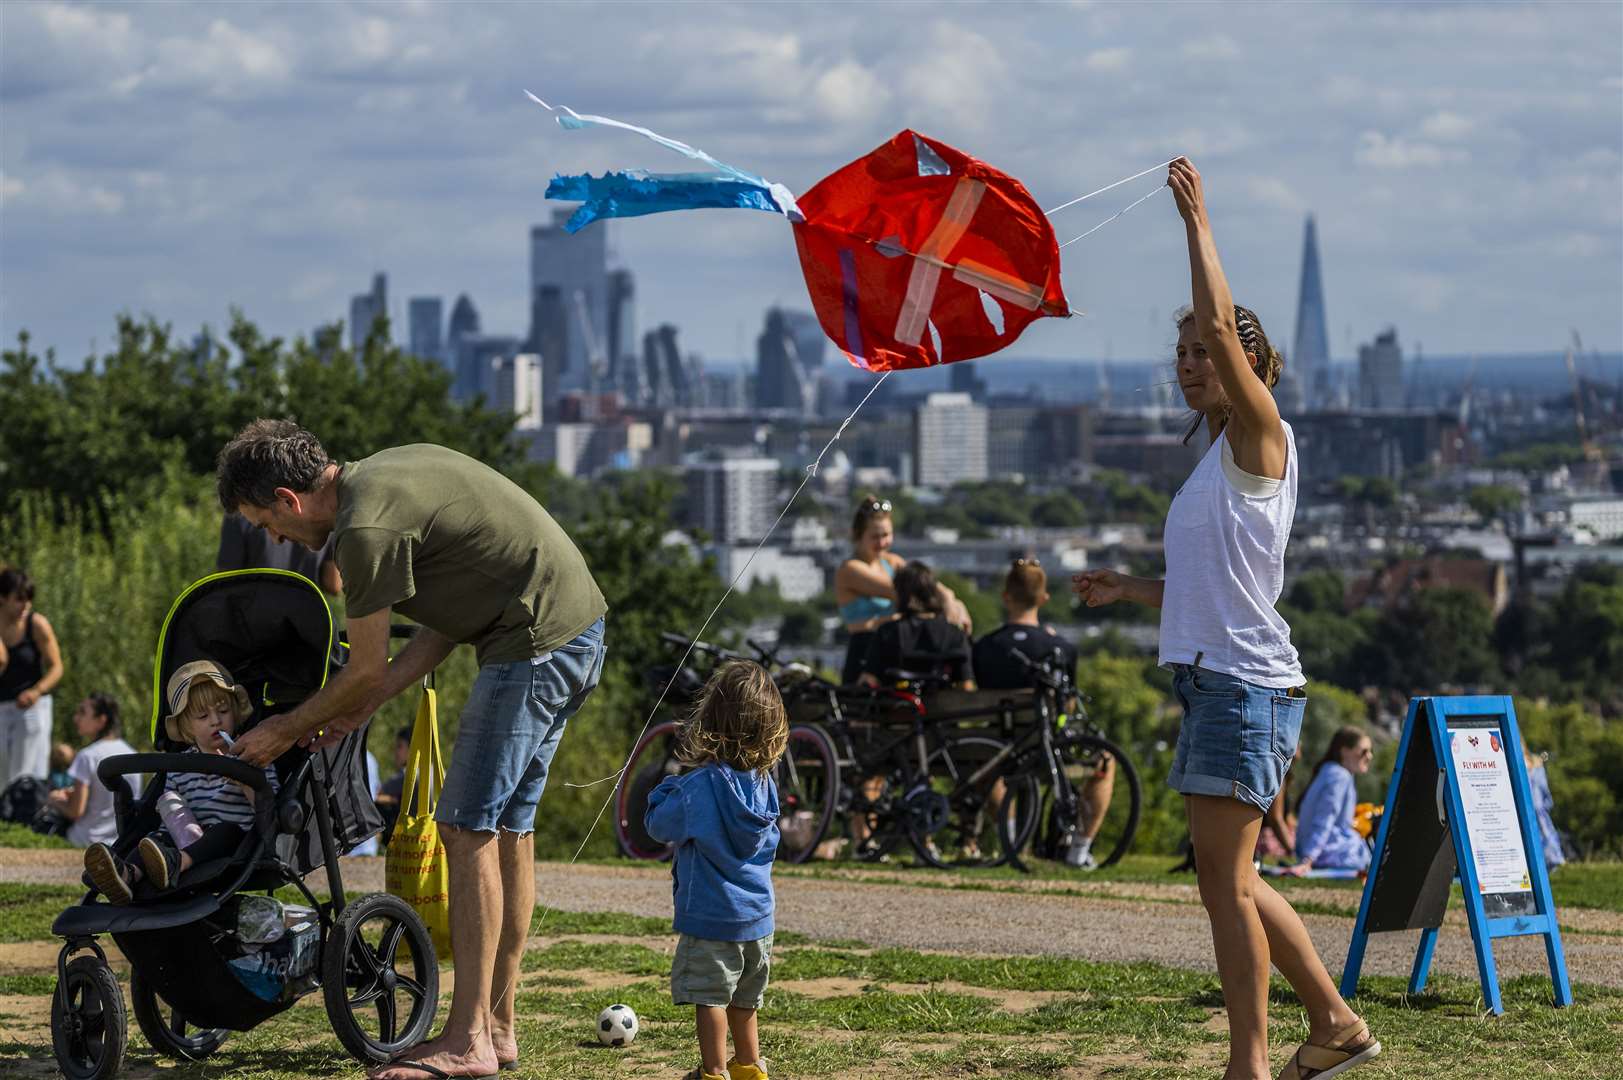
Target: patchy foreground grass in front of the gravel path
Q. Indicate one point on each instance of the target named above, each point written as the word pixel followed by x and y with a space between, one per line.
pixel 846 1011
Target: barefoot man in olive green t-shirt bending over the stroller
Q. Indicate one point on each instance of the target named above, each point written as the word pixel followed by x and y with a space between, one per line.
pixel 470 556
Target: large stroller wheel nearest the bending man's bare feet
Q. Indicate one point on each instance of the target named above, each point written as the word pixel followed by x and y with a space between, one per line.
pixel 381 978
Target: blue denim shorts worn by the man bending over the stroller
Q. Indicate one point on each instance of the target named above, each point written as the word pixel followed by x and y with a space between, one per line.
pixel 510 730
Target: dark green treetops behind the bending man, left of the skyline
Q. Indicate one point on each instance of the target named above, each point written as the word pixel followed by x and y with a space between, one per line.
pixel 108 428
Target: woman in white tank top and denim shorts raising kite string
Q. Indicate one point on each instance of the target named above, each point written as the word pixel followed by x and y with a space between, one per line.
pixel 1234 668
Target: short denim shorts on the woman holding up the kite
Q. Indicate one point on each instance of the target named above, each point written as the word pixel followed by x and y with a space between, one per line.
pixel 1238 740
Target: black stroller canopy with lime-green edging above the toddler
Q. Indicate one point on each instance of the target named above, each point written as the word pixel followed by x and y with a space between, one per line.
pixel 270 629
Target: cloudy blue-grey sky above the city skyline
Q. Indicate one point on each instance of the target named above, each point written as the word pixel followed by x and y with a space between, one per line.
pixel 1463 162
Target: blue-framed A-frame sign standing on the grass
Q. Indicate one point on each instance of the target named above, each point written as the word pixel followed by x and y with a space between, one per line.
pixel 1449 811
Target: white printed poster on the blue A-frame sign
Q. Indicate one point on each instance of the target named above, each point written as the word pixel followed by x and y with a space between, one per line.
pixel 1491 810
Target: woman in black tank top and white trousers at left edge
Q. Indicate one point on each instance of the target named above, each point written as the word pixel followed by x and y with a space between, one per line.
pixel 30 668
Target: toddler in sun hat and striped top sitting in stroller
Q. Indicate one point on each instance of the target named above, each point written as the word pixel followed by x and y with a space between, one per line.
pixel 205 816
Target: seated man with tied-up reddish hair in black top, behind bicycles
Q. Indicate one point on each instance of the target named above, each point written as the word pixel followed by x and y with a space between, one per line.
pixel 997 668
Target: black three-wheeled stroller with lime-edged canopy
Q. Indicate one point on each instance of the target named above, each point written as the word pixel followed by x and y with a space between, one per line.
pixel 210 957
